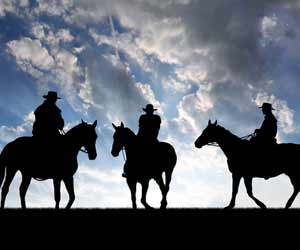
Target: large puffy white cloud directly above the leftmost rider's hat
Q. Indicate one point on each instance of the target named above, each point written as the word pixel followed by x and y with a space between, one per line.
pixel 56 65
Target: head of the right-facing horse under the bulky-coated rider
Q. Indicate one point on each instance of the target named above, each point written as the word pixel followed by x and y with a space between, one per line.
pixel 89 137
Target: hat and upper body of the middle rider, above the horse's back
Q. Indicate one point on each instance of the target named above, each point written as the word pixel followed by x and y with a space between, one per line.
pixel 149 125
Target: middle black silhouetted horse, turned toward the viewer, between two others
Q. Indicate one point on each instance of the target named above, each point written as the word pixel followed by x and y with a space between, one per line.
pixel 143 165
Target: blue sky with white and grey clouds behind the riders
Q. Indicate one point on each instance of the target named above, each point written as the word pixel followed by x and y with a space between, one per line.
pixel 194 60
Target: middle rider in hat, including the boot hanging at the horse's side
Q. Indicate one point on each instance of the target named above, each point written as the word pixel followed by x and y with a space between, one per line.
pixel 149 125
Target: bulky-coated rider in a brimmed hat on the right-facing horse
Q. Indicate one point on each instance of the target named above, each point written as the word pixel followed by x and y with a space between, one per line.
pixel 48 119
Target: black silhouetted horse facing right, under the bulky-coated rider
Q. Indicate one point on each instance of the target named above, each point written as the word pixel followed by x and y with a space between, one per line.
pixel 36 159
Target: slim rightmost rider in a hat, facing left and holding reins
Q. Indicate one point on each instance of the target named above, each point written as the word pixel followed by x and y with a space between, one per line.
pixel 266 134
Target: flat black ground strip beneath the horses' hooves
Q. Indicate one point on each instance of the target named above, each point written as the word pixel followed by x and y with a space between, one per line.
pixel 127 226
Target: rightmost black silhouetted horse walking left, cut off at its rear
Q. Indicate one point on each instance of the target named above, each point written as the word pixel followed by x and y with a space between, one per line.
pixel 246 161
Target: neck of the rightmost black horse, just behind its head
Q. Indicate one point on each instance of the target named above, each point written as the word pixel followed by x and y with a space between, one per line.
pixel 227 142
